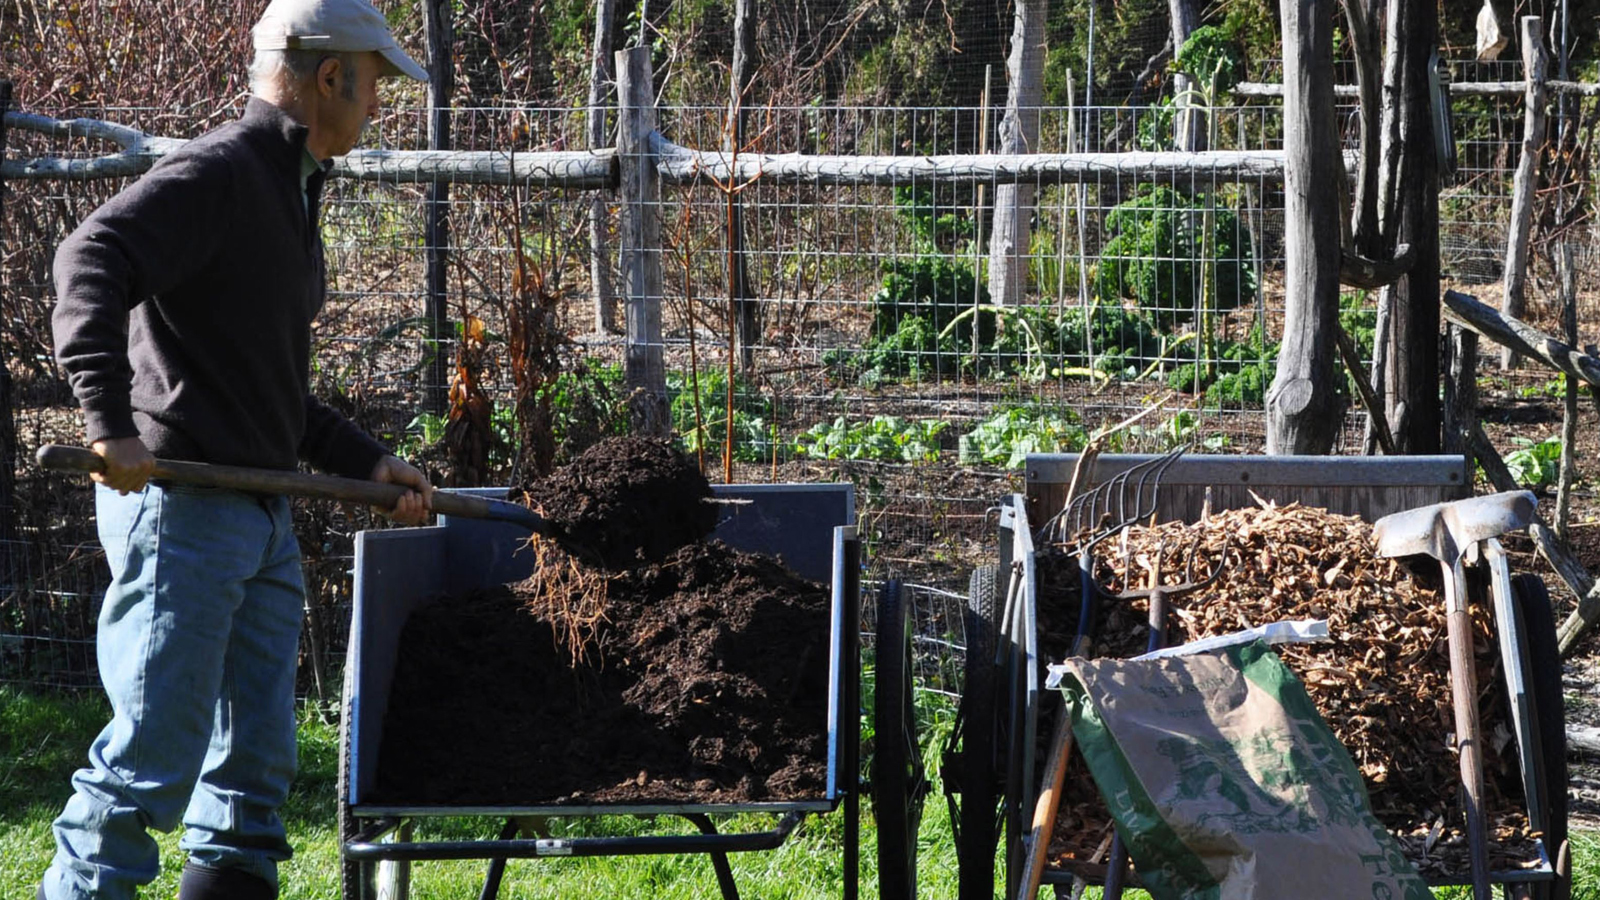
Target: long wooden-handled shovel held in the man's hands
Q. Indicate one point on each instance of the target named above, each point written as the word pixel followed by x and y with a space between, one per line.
pixel 382 496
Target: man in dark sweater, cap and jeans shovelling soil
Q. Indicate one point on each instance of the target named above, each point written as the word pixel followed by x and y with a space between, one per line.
pixel 183 321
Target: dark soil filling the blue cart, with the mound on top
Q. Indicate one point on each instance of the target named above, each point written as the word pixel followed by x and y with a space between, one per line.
pixel 700 677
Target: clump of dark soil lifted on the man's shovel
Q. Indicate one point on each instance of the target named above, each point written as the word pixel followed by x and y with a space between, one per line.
pixel 625 502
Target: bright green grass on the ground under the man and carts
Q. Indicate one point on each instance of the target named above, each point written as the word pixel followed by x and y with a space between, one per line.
pixel 44 739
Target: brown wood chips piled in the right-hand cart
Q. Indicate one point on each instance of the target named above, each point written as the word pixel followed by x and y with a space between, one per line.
pixel 1382 683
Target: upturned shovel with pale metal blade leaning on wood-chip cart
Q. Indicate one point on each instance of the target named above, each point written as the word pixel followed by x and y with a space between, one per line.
pixel 1446 532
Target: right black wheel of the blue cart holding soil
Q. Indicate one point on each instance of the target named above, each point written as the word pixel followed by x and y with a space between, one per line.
pixel 898 784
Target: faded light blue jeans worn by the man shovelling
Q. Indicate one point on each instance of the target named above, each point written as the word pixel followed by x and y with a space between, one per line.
pixel 198 646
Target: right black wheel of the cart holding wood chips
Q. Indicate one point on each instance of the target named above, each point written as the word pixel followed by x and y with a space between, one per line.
pixel 1542 664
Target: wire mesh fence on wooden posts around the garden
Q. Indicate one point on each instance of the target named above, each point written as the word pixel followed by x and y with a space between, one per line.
pixel 876 353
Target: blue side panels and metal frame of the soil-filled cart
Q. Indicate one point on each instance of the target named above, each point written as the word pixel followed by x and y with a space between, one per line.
pixel 812 528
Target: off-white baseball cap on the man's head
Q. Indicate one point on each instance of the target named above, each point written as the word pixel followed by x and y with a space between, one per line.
pixel 337 26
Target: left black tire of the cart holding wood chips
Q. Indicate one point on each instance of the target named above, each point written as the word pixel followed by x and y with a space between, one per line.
pixel 980 814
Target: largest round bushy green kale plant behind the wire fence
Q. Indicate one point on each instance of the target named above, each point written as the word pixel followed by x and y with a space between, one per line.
pixel 1156 257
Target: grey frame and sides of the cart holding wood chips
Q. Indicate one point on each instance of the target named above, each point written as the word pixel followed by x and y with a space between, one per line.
pixel 1359 486
